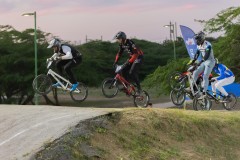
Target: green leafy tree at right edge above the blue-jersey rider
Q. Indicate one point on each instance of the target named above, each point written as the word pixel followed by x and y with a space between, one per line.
pixel 227 48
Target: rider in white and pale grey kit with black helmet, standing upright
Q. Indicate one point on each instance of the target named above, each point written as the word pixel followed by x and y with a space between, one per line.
pixel 204 49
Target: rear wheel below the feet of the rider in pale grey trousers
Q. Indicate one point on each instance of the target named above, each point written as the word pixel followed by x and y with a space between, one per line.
pixel 205 104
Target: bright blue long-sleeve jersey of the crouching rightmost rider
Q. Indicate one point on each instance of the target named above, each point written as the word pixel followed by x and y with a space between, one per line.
pixel 222 71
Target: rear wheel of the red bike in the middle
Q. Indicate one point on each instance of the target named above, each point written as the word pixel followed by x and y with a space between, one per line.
pixel 141 100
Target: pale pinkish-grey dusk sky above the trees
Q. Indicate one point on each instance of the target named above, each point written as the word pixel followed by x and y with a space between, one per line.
pixel 73 20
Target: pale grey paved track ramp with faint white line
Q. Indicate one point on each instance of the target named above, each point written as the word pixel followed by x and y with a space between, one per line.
pixel 24 129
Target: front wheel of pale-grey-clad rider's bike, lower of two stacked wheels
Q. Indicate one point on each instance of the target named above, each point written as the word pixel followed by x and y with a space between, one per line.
pixel 177 97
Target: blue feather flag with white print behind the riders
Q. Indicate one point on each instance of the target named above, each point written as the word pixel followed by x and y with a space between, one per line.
pixel 188 37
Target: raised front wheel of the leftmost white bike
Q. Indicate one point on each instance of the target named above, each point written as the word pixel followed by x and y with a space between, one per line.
pixel 42 84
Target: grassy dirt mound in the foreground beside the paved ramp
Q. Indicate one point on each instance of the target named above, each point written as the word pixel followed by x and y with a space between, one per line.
pixel 154 134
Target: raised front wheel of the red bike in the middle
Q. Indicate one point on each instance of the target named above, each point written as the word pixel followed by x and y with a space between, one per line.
pixel 110 87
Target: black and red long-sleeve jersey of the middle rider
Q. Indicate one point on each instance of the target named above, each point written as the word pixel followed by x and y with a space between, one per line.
pixel 135 54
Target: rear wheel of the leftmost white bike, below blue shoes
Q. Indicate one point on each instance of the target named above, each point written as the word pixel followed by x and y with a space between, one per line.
pixel 80 94
